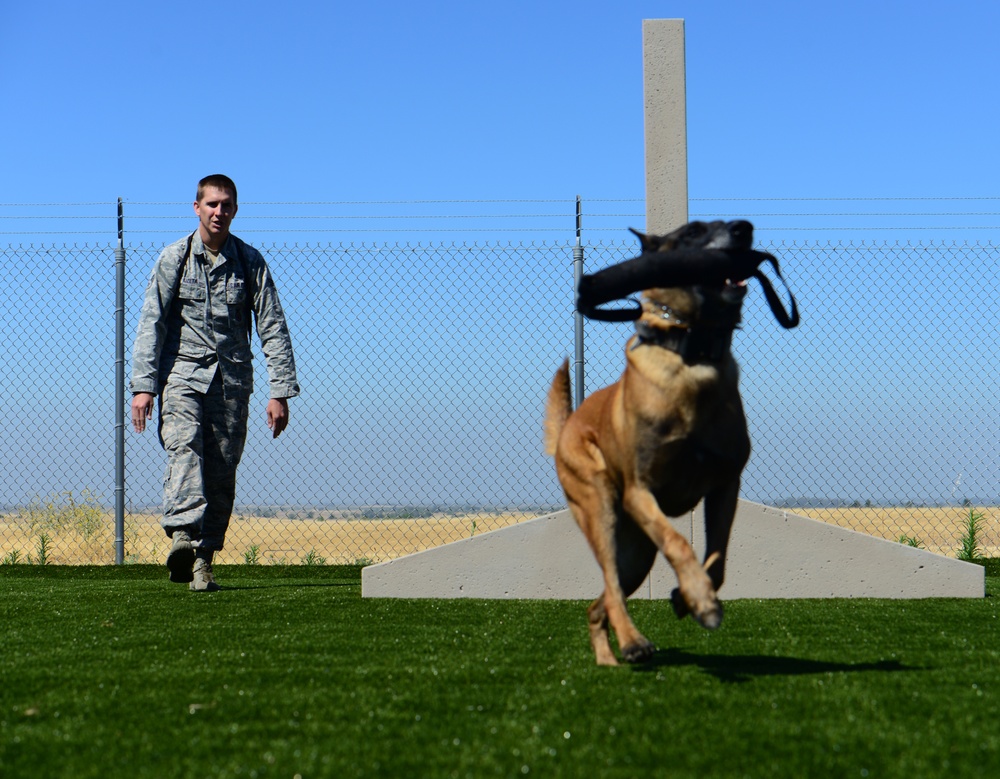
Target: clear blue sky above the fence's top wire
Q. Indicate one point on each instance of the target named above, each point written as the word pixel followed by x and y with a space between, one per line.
pixel 526 99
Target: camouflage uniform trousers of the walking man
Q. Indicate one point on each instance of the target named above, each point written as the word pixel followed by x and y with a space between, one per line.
pixel 203 435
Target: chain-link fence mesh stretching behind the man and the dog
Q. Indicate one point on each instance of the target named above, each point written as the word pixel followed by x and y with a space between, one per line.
pixel 424 371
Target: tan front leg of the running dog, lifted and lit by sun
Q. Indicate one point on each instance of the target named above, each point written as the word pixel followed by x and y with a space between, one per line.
pixel 696 591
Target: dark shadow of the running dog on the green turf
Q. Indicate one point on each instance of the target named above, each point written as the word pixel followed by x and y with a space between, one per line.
pixel 743 668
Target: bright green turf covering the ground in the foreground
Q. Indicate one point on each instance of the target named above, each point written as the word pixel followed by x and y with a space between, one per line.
pixel 115 672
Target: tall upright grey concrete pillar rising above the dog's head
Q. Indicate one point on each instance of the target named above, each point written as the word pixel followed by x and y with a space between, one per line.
pixel 665 99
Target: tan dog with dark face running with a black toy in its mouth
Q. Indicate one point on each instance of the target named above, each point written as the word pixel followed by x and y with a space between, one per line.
pixel 667 435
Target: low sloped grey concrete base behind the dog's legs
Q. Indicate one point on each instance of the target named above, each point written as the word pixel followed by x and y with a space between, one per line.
pixel 773 554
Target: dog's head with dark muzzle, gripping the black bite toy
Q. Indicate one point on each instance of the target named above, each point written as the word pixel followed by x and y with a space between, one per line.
pixel 716 305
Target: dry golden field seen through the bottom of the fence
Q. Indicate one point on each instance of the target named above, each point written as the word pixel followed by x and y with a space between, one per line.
pixel 336 541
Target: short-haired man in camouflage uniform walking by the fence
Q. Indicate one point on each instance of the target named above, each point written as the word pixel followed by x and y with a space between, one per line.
pixel 193 350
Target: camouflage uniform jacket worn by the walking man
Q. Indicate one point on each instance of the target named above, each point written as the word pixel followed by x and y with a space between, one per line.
pixel 195 321
